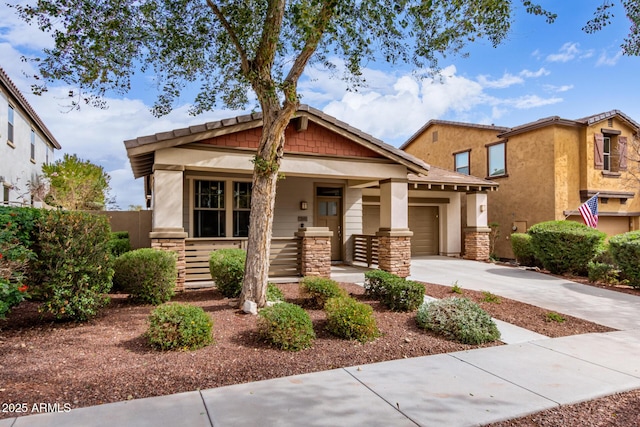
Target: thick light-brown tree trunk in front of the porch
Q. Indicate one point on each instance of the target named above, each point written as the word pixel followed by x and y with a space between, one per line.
pixel 263 197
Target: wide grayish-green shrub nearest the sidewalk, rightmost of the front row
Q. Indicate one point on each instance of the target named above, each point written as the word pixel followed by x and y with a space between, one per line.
pixel 458 319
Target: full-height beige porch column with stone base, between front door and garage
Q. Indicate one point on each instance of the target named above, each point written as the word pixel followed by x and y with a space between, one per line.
pixel 394 236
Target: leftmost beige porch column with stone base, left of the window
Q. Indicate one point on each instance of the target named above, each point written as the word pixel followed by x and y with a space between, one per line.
pixel 168 233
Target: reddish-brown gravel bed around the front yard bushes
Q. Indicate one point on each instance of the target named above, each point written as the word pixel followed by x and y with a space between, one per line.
pixel 108 359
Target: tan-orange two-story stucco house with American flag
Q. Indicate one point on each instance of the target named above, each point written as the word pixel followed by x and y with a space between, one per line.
pixel 546 169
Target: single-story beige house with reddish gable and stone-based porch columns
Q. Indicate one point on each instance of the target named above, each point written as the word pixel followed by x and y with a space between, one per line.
pixel 340 184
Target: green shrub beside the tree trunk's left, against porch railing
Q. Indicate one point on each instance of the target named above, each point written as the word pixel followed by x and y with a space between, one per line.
pixel 227 270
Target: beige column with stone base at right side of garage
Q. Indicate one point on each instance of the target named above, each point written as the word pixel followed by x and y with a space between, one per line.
pixel 476 239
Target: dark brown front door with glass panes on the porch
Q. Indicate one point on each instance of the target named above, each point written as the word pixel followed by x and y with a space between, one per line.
pixel 329 214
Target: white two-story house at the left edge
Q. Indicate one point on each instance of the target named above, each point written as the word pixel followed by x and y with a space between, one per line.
pixel 25 145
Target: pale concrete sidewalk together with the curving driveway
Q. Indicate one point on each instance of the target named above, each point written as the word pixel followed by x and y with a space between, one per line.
pixel 467 388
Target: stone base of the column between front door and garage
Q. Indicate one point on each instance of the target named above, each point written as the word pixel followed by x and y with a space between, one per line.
pixel 394 251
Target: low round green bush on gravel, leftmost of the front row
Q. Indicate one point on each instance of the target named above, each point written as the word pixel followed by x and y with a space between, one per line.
pixel 179 326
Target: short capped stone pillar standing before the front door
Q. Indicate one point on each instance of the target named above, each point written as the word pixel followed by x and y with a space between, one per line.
pixel 316 251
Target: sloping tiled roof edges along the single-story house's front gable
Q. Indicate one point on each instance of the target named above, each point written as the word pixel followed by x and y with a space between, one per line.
pixel 141 150
